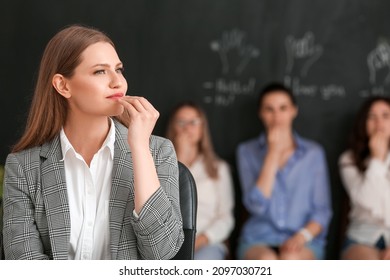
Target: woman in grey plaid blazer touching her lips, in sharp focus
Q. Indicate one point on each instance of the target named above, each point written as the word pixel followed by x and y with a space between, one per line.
pixel 87 180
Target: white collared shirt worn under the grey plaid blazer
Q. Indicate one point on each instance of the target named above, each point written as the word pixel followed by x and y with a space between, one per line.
pixel 88 194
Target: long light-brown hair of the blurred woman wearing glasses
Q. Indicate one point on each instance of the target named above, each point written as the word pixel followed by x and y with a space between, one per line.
pixel 205 144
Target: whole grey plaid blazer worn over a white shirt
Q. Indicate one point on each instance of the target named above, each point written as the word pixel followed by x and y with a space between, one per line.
pixel 36 209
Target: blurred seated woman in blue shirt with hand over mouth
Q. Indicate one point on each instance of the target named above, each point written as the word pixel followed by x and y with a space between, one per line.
pixel 285 186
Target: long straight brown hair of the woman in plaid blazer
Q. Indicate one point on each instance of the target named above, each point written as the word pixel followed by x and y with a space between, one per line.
pixel 48 109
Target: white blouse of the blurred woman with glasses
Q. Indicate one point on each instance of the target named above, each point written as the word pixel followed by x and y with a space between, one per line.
pixel 215 201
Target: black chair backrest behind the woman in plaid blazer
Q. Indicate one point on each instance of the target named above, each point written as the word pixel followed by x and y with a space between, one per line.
pixel 188 207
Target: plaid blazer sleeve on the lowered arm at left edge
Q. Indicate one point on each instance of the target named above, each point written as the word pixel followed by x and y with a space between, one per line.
pixel 21 237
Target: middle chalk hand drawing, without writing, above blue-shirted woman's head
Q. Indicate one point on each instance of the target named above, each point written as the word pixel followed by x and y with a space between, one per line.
pixel 302 49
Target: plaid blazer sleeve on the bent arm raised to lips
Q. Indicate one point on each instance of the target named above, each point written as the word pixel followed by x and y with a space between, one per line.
pixel 159 227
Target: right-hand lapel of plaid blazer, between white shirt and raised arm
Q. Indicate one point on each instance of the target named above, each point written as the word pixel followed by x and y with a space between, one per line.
pixel 121 186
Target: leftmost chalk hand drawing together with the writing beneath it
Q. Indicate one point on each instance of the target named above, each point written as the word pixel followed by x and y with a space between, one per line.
pixel 235 55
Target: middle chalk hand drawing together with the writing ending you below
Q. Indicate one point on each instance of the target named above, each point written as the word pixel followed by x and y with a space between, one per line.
pixel 302 54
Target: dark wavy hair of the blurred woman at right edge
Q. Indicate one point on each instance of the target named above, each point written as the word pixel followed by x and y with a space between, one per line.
pixel 358 141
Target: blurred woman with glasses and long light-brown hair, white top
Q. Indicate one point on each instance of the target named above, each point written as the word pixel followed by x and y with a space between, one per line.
pixel 188 130
